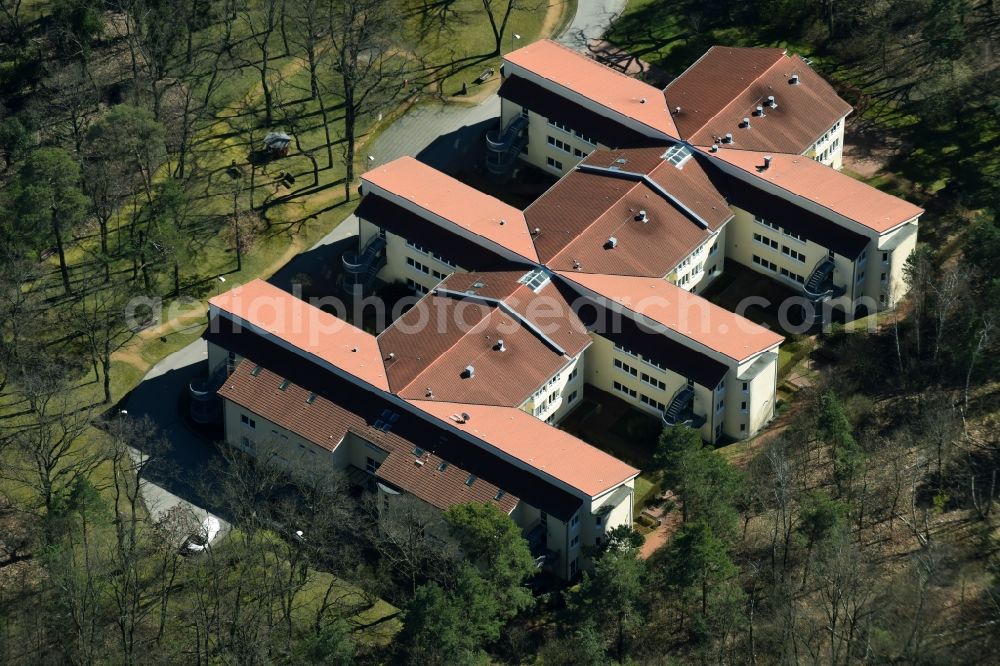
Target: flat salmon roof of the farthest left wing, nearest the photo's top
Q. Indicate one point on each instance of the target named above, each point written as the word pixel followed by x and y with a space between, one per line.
pixel 613 90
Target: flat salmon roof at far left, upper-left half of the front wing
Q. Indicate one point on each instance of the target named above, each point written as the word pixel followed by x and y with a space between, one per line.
pixel 322 336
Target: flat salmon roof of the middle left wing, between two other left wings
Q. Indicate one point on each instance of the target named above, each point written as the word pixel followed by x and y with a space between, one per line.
pixel 456 202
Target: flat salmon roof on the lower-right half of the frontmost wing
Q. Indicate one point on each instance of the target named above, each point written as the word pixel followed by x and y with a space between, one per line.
pixel 522 436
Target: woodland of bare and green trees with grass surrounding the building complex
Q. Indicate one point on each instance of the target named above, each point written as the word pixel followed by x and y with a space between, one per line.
pixel 862 530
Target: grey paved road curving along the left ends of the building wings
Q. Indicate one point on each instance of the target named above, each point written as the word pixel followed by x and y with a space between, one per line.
pixel 444 136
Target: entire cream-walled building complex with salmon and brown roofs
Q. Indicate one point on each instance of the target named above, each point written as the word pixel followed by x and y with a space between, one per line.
pixel 594 284
